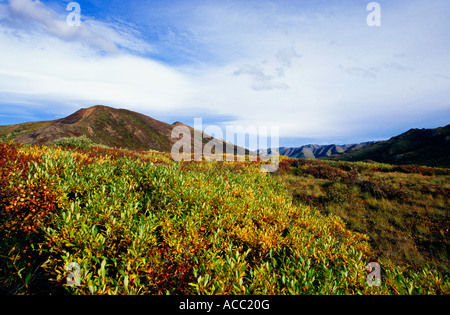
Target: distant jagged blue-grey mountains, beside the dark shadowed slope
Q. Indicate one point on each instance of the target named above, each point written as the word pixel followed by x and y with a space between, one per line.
pixel 315 151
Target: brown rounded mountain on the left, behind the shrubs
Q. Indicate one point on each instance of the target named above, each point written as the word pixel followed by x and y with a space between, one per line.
pixel 112 127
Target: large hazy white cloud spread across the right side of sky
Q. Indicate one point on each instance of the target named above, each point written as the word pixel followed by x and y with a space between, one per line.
pixel 368 78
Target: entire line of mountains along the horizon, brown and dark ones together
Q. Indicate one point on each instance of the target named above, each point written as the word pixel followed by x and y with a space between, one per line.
pixel 127 129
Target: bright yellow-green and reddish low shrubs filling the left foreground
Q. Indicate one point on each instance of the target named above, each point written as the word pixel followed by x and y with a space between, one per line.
pixel 140 223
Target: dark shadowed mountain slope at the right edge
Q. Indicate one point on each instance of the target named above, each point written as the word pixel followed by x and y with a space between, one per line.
pixel 428 147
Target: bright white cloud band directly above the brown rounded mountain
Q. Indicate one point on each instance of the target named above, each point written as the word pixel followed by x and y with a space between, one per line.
pixel 48 69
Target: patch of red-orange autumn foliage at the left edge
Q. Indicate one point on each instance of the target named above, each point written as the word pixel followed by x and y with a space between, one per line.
pixel 25 207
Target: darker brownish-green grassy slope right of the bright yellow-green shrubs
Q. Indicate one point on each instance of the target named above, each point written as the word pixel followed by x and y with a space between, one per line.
pixel 404 210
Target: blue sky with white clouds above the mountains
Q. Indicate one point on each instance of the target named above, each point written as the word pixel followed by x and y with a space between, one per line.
pixel 314 69
